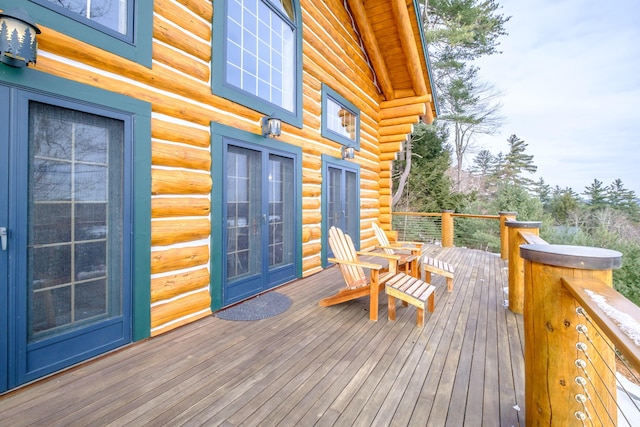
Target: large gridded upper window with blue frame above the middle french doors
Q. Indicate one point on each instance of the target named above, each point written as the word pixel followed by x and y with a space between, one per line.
pixel 261 41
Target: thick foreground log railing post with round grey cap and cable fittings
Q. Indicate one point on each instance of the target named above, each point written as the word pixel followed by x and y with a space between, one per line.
pixel 550 321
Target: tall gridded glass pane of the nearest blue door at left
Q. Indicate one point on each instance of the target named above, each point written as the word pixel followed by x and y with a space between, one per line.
pixel 75 218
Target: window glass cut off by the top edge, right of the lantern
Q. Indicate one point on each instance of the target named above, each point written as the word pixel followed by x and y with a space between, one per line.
pixel 112 14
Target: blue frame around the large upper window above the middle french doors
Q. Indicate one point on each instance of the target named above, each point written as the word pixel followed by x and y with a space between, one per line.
pixel 221 88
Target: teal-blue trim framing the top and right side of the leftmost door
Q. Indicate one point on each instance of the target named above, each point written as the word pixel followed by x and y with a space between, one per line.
pixel 31 79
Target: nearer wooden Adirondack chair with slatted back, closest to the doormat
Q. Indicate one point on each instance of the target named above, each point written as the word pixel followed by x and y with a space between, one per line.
pixel 352 269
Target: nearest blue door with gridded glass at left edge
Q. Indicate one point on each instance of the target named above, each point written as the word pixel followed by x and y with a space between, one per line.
pixel 64 264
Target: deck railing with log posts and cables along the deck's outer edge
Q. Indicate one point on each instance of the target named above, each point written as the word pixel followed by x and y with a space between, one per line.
pixel 577 327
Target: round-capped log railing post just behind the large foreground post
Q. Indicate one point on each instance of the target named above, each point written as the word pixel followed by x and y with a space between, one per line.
pixel 516 263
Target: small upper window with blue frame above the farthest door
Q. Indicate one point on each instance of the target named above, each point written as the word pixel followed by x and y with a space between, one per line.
pixel 340 119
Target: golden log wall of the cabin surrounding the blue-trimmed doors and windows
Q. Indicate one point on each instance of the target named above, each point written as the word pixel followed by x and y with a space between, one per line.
pixel 178 88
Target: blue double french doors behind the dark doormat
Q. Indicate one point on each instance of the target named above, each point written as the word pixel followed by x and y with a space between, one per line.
pixel 260 221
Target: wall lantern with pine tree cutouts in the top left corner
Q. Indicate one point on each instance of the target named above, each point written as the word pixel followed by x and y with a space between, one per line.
pixel 18 43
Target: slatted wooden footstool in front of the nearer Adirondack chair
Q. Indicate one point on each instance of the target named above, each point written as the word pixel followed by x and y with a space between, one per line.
pixel 410 291
